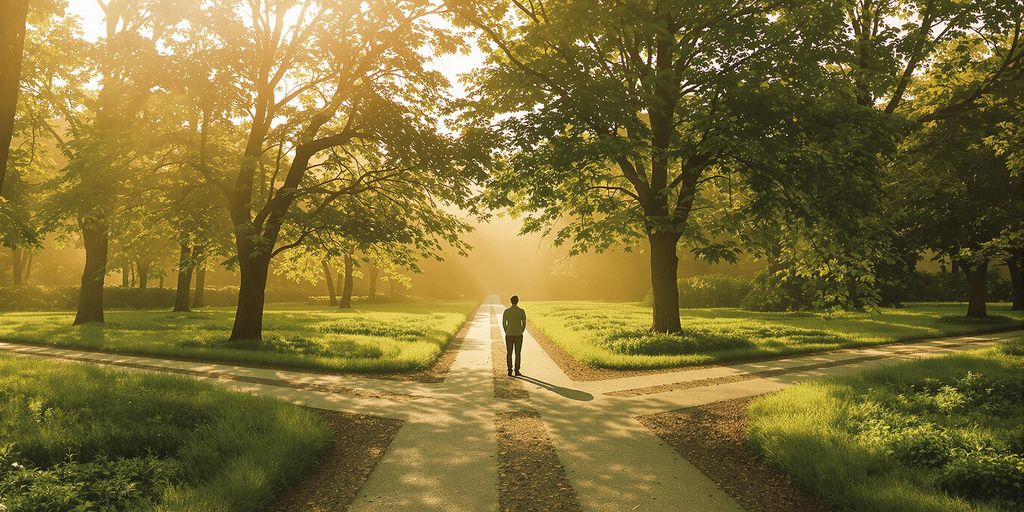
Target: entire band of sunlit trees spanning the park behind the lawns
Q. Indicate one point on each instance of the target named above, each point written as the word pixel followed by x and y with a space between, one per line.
pixel 837 142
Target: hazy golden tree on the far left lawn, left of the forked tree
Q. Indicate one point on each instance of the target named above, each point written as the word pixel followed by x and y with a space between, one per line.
pixel 105 136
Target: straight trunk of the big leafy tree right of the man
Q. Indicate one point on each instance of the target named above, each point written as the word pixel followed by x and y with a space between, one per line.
pixel 664 270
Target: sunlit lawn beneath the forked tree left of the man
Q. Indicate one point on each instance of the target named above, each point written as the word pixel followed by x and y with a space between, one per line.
pixel 367 338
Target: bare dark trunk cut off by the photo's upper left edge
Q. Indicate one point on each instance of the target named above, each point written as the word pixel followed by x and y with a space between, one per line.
pixel 15 14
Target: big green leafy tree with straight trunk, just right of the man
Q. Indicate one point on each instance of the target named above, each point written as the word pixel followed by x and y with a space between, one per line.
pixel 615 112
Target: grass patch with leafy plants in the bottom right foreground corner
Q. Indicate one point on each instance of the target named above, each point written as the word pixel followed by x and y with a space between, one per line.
pixel 944 435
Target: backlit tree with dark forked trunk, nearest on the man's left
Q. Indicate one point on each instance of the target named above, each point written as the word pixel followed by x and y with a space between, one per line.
pixel 332 75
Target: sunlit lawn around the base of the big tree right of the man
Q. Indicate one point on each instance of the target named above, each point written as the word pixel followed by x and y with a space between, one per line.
pixel 616 335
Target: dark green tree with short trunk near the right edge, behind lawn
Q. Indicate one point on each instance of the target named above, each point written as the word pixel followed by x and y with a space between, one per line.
pixel 962 191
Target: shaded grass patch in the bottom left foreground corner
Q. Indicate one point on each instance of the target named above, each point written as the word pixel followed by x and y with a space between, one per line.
pixel 77 438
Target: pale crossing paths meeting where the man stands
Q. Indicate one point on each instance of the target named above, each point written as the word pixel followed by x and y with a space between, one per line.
pixel 448 455
